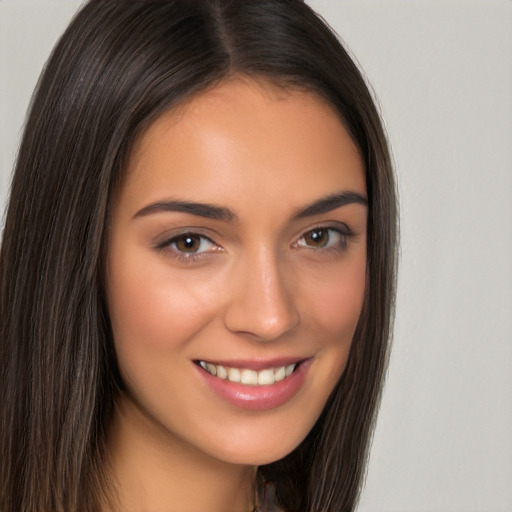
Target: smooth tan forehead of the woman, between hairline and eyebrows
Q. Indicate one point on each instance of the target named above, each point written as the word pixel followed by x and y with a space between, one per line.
pixel 244 139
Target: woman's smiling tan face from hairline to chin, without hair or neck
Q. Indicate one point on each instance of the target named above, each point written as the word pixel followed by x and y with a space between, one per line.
pixel 236 270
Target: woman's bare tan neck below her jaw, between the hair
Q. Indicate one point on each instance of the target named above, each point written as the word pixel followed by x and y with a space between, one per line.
pixel 154 471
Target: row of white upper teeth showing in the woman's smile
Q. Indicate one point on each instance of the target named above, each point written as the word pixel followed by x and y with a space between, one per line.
pixel 264 377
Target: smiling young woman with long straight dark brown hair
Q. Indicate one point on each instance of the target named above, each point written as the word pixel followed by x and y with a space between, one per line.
pixel 197 266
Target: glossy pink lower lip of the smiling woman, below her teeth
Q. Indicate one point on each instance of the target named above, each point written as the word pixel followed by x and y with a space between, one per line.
pixel 258 398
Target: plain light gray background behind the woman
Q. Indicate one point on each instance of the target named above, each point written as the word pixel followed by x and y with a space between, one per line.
pixel 443 75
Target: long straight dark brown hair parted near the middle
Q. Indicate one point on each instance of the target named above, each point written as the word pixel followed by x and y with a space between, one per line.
pixel 116 69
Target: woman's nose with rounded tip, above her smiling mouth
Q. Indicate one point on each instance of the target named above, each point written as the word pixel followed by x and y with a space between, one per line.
pixel 262 301
